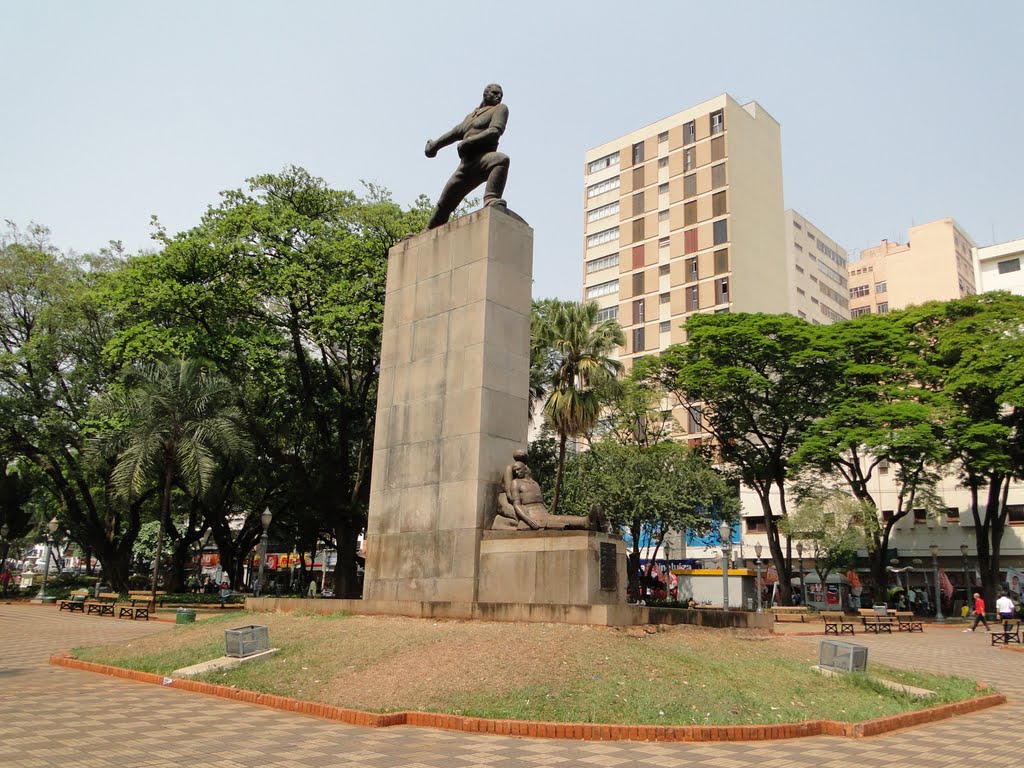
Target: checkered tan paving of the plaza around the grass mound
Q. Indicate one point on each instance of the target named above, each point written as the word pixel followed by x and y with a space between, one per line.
pixel 54 717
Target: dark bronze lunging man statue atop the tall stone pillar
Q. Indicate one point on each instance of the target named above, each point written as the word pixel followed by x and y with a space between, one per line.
pixel 480 160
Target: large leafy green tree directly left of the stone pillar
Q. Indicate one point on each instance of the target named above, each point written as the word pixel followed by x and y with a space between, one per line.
pixel 282 286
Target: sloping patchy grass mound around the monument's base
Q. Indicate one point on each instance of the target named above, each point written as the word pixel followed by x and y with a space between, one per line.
pixel 686 676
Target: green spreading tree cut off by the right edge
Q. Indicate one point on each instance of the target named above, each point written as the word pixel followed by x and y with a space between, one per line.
pixel 972 352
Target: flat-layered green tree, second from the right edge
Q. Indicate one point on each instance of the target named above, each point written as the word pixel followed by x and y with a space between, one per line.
pixel 880 415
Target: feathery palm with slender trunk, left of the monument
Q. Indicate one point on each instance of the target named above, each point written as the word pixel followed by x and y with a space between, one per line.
pixel 179 426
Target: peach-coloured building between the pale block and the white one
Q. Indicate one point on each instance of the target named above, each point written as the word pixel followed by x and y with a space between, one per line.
pixel 935 264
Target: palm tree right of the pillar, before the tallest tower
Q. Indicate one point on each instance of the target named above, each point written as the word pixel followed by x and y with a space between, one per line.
pixel 576 346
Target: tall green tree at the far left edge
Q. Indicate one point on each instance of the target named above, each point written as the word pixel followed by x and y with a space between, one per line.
pixel 54 328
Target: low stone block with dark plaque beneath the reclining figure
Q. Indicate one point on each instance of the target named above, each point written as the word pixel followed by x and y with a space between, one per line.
pixel 552 568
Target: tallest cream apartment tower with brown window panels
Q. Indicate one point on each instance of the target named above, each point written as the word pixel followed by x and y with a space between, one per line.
pixel 684 217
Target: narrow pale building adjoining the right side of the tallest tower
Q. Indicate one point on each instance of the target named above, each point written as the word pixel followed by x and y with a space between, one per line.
pixel 818 273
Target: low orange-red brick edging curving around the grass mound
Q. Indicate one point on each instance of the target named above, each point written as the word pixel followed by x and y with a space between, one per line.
pixel 586 732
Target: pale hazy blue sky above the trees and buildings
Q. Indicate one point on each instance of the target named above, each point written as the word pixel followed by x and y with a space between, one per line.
pixel 892 113
